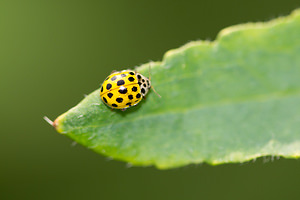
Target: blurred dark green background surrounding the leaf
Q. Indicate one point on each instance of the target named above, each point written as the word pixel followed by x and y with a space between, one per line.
pixel 54 52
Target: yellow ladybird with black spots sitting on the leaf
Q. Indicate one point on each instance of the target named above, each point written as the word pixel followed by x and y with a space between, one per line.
pixel 123 89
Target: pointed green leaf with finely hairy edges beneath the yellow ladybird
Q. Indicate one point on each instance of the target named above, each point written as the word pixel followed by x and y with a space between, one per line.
pixel 231 100
